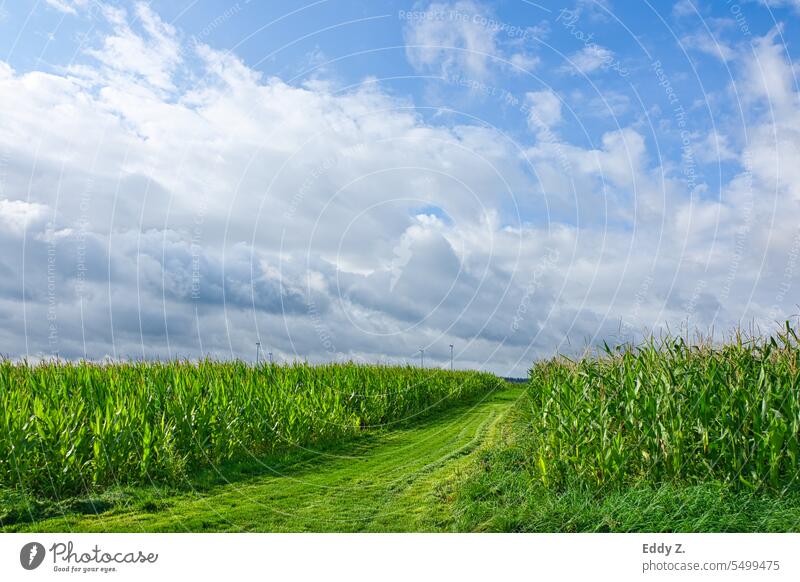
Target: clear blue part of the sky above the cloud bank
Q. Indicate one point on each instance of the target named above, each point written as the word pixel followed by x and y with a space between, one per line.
pixel 350 41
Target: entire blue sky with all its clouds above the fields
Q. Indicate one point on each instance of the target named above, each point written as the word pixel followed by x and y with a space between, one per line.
pixel 351 180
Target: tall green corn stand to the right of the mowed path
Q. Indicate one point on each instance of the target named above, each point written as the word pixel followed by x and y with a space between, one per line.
pixel 669 411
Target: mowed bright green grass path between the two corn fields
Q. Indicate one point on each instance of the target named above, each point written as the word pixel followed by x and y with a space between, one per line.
pixel 400 479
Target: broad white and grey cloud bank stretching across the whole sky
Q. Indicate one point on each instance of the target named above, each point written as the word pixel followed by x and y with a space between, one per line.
pixel 342 224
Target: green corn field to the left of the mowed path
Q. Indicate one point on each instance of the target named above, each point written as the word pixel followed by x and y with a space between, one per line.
pixel 69 428
